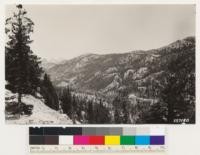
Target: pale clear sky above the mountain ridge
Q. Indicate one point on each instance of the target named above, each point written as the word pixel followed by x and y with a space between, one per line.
pixel 68 31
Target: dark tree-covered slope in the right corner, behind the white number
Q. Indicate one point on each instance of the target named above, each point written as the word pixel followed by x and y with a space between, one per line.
pixel 176 99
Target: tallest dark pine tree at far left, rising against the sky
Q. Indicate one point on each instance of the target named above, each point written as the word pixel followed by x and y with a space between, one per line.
pixel 23 69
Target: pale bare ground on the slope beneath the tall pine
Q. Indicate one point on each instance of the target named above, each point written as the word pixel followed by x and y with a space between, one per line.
pixel 41 113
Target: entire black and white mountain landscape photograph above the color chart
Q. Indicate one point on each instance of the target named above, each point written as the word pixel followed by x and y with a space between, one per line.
pixel 100 64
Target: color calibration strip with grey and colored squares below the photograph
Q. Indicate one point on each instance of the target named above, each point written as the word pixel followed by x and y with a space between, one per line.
pixel 96 139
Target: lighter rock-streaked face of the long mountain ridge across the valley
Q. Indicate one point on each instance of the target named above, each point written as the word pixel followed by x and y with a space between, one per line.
pixel 108 73
